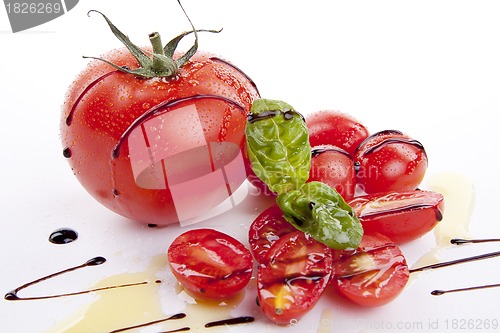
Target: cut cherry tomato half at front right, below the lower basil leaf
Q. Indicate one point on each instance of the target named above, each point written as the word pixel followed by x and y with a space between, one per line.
pixel 372 275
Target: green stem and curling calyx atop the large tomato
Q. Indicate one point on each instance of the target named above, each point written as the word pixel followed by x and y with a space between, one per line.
pixel 161 62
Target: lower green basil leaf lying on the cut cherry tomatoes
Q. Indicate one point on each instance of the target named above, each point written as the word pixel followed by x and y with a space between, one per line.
pixel 319 210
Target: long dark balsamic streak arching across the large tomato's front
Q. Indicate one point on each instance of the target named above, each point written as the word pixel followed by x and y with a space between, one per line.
pixel 159 108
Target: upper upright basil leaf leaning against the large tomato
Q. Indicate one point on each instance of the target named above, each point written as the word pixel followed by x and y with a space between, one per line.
pixel 278 145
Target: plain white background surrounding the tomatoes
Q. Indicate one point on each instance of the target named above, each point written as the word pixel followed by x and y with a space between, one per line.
pixel 428 68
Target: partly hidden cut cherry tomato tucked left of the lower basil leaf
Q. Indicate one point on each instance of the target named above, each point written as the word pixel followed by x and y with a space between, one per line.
pixel 266 229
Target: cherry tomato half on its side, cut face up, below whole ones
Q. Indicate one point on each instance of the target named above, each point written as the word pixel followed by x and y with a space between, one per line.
pixel 400 216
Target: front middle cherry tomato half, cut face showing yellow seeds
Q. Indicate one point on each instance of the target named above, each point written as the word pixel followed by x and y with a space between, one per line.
pixel 297 272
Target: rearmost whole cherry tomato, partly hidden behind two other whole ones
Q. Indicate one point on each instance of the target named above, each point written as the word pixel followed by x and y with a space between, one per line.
pixel 335 128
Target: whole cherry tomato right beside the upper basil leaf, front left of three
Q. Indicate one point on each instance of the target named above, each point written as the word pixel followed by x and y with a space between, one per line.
pixel 335 167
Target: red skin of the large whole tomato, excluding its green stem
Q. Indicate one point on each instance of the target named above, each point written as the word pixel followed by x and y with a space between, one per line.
pixel 150 148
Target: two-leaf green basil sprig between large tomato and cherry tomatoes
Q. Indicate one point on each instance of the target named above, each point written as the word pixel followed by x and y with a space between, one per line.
pixel 280 155
